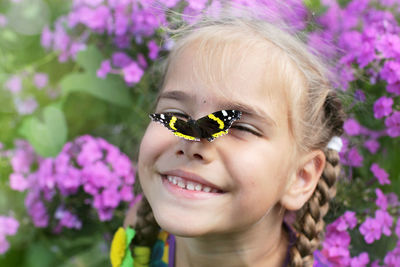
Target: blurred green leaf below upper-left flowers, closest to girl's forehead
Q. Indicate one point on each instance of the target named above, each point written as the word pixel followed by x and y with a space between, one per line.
pixel 111 89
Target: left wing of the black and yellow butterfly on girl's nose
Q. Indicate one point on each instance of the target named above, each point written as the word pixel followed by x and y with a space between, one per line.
pixel 178 126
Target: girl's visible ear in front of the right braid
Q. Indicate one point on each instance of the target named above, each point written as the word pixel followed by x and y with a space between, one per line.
pixel 302 183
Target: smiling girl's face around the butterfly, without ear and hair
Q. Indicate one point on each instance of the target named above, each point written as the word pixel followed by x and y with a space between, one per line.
pixel 247 169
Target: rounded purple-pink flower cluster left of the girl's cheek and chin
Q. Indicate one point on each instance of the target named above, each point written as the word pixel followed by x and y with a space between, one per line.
pixel 88 171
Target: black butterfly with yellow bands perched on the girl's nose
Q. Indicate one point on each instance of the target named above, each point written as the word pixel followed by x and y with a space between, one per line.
pixel 210 127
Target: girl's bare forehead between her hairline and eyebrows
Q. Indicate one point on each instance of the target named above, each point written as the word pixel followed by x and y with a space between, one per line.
pixel 231 71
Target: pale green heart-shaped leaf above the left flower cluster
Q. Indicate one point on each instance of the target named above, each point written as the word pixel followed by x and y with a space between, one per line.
pixel 47 136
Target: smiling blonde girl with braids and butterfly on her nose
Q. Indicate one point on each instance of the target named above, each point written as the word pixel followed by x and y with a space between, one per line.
pixel 223 203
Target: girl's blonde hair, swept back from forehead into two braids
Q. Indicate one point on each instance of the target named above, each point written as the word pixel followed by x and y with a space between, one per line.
pixel 309 94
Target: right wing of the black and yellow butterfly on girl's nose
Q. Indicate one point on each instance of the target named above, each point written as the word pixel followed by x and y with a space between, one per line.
pixel 217 124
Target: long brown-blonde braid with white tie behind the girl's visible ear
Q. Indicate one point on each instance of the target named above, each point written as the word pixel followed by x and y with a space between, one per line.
pixel 309 223
